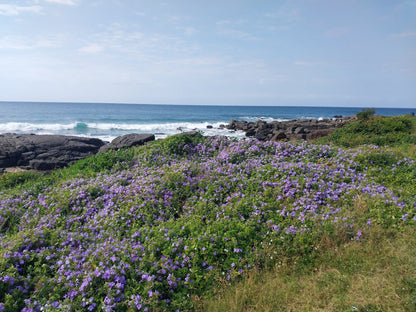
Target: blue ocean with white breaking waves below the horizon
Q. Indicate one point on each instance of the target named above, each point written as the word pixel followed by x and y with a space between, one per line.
pixel 108 121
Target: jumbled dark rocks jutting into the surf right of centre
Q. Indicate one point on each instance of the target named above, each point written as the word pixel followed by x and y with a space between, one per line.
pixel 306 129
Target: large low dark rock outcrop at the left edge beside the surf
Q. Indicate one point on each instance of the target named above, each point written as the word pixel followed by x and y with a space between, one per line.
pixel 44 152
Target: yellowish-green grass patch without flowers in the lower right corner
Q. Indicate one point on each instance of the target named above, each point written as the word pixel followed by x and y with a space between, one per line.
pixel 376 274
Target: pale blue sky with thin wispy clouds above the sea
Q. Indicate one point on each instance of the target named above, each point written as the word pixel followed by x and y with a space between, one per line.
pixel 221 52
